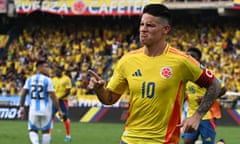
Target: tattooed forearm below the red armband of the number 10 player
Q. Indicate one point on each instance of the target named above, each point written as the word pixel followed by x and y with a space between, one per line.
pixel 209 98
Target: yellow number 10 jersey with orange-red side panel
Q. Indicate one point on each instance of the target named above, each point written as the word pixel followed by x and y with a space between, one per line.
pixel 156 87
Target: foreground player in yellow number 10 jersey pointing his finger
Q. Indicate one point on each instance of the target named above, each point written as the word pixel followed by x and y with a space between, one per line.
pixel 155 76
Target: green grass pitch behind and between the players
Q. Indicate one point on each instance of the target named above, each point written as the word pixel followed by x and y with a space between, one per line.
pixel 15 132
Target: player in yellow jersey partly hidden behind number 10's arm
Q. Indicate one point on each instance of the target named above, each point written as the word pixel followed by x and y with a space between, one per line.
pixel 207 127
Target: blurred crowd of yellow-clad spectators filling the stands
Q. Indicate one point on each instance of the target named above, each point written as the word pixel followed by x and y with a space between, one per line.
pixel 99 44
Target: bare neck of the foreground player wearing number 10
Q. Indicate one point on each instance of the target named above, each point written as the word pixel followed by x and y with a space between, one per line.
pixel 155 50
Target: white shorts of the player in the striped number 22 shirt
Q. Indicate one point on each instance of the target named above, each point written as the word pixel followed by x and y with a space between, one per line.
pixel 39 121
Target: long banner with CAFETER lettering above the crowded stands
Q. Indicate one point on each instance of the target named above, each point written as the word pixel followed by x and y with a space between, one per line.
pixel 83 7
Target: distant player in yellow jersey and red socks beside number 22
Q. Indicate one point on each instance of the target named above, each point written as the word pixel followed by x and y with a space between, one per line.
pixel 63 84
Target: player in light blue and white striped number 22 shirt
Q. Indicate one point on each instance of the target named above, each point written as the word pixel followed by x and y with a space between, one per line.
pixel 39 88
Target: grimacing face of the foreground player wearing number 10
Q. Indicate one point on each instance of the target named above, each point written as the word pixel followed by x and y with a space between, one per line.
pixel 151 29
